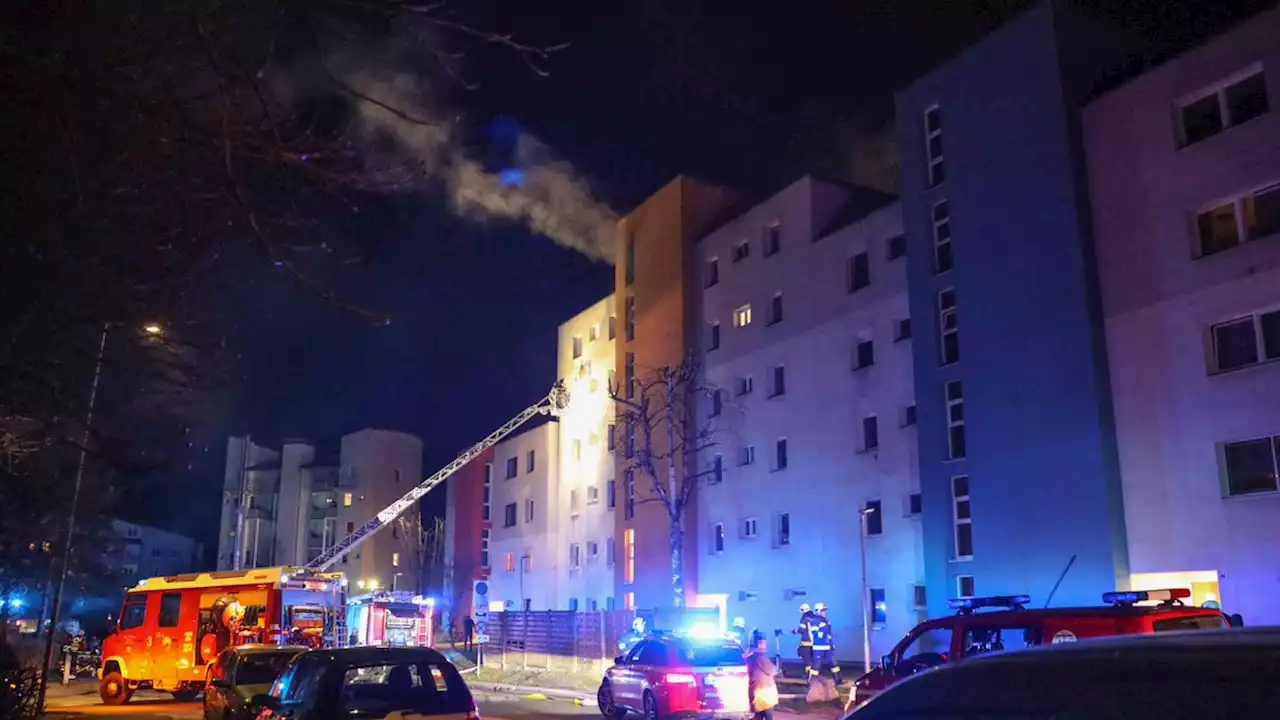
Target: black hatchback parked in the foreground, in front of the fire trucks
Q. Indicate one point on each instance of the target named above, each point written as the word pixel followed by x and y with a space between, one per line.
pixel 368 682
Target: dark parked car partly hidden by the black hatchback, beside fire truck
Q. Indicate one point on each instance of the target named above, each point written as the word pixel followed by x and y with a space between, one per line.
pixel 241 673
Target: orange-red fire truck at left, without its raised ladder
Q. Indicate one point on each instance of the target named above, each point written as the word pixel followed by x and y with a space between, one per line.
pixel 170 630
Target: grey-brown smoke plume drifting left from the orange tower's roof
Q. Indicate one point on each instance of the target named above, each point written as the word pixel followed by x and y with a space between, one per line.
pixel 540 192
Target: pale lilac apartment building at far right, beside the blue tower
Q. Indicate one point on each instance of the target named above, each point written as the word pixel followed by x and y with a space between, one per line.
pixel 1185 175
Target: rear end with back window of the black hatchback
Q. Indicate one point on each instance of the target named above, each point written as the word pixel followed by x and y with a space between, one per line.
pixel 418 687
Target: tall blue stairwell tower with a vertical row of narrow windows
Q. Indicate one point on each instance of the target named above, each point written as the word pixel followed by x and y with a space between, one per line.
pixel 1020 468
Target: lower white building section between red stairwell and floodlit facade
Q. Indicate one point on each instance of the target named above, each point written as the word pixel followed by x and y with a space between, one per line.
pixel 527 562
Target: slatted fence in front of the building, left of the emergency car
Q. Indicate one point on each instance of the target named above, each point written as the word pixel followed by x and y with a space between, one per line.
pixel 557 641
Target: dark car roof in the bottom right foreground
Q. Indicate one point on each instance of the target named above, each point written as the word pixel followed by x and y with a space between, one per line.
pixel 1203 676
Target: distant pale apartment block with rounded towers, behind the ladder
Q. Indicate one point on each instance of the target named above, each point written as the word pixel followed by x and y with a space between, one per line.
pixel 287 507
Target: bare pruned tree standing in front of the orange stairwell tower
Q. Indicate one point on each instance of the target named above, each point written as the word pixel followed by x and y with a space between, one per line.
pixel 666 436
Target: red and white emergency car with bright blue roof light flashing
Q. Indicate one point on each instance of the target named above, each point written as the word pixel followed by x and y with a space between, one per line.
pixel 669 676
